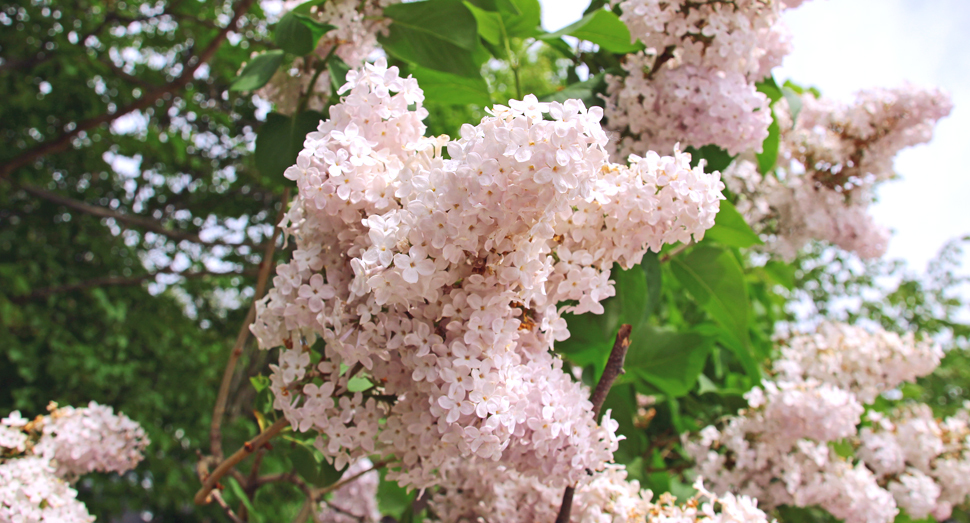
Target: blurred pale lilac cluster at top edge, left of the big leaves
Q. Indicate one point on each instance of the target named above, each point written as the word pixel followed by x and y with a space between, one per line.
pixel 358 24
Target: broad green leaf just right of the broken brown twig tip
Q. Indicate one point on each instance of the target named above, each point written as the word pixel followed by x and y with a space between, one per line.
pixel 668 360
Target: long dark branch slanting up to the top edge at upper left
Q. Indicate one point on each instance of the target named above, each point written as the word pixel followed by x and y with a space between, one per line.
pixel 191 65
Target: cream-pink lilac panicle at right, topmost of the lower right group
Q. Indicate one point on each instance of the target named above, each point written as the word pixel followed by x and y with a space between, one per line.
pixel 856 360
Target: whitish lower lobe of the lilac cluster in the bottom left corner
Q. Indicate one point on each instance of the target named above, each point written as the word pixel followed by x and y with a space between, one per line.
pixel 30 492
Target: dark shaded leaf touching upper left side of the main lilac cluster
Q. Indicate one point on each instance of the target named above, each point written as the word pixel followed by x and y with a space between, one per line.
pixel 279 141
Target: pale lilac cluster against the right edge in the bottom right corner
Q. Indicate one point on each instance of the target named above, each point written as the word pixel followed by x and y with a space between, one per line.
pixel 924 462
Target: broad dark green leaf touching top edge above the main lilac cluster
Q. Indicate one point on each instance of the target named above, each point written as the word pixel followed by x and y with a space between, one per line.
pixel 443 20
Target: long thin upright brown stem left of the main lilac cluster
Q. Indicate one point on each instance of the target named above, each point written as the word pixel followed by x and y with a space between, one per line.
pixel 215 430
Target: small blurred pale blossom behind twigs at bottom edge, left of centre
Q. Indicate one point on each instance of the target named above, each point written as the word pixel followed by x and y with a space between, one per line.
pixel 355 501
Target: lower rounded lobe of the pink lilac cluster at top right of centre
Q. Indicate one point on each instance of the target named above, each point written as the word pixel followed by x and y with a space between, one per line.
pixel 693 105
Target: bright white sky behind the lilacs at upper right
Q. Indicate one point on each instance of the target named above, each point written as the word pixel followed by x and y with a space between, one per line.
pixel 843 46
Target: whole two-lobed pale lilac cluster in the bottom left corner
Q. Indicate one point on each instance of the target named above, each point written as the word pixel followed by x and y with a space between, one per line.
pixel 38 459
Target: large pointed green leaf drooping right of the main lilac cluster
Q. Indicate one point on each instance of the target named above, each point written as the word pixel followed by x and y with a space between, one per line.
pixel 714 278
